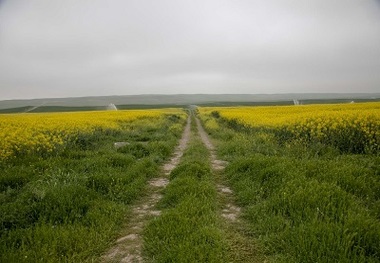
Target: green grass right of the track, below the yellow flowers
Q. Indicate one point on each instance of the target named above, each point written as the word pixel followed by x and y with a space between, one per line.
pixel 304 203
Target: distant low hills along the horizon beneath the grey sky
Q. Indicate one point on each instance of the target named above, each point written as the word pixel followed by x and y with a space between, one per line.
pixel 149 101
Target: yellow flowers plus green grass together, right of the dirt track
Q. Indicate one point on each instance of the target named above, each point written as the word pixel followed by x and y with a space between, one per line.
pixel 307 177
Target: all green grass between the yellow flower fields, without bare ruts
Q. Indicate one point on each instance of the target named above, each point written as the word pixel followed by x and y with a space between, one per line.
pixel 297 202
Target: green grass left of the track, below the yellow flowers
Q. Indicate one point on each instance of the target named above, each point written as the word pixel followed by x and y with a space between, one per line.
pixel 69 207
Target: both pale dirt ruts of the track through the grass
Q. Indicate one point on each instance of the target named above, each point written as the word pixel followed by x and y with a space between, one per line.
pixel 128 246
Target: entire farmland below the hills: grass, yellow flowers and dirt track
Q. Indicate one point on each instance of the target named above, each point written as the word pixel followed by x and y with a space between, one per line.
pixel 274 184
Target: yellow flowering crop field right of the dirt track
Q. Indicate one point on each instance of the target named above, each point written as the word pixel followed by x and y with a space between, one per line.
pixel 351 127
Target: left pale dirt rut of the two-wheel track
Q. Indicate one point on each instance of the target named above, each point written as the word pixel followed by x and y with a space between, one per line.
pixel 128 246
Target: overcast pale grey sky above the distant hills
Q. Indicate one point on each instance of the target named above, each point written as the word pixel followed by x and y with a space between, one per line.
pixel 51 48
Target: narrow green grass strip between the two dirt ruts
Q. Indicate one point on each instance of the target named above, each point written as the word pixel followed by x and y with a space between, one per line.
pixel 188 229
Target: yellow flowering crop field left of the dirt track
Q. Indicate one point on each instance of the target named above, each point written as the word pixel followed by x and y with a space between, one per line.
pixel 45 132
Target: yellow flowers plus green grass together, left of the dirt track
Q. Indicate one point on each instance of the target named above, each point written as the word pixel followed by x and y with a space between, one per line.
pixel 65 188
